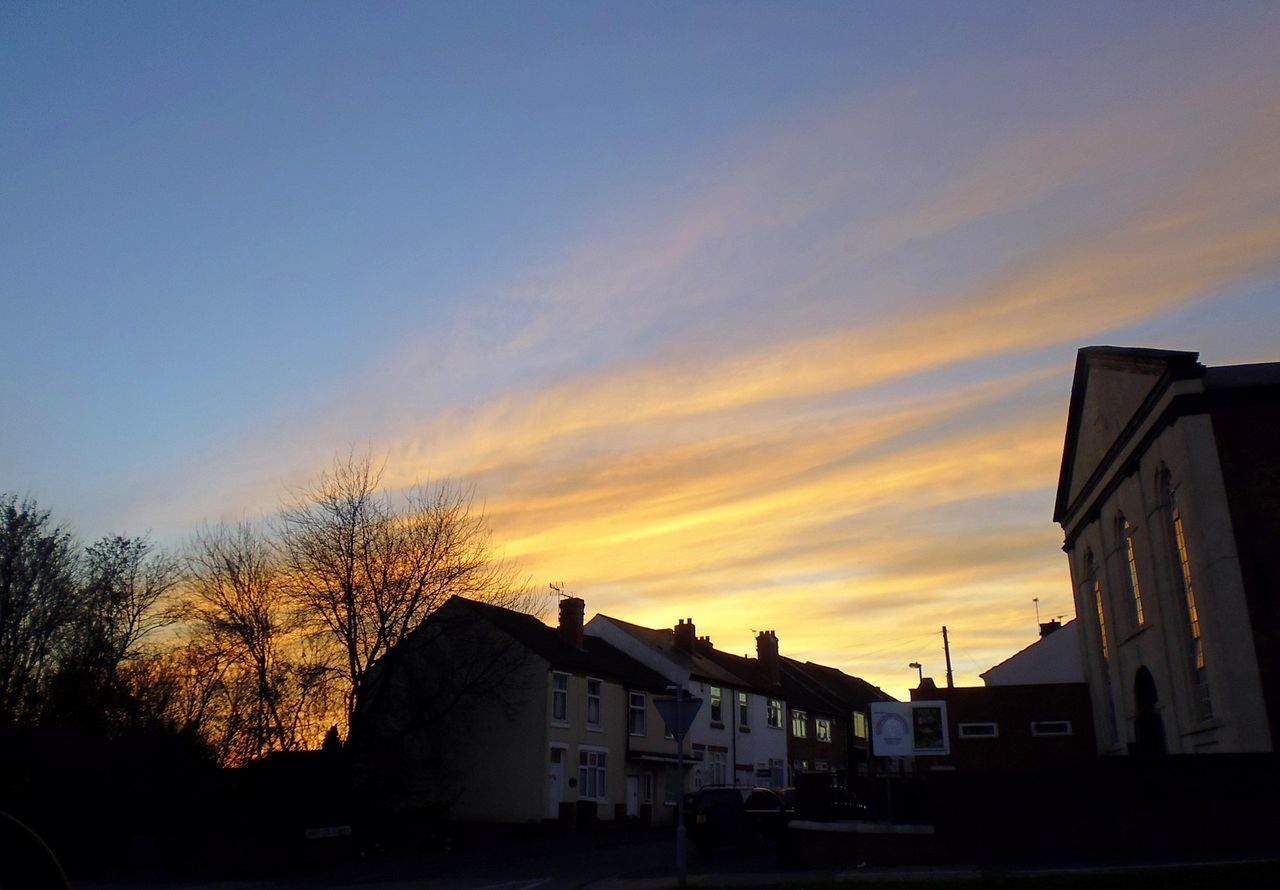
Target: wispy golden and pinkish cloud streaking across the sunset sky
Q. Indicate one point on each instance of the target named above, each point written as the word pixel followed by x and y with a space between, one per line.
pixel 822 389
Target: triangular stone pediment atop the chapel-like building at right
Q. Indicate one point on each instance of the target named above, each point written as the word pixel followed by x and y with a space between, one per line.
pixel 1113 385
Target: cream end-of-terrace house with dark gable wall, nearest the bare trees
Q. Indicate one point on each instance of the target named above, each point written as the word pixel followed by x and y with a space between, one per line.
pixel 484 714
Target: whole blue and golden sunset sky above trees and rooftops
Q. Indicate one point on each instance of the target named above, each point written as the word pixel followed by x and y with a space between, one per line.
pixel 762 314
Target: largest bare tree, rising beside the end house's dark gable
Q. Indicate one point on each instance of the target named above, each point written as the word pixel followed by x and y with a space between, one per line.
pixel 369 569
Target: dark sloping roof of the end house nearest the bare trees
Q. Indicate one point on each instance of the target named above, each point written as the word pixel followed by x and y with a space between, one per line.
pixel 596 656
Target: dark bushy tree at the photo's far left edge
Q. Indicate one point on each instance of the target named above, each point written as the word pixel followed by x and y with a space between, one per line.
pixel 38 604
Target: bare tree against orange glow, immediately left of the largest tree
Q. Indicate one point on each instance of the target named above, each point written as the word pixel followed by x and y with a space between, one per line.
pixel 273 681
